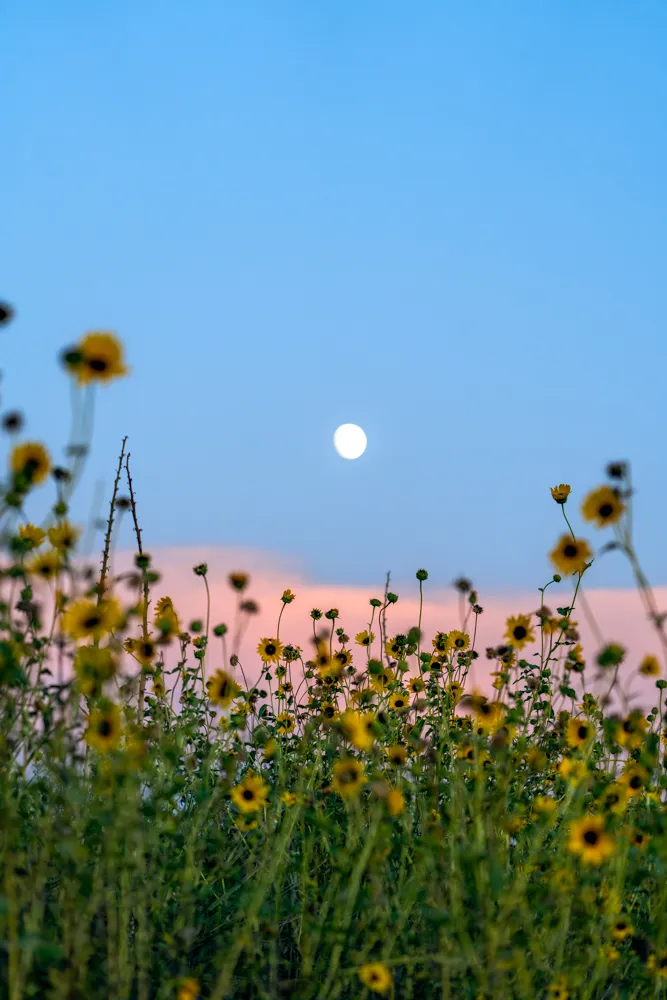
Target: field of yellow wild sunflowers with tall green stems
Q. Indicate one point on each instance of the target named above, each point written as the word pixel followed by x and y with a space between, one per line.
pixel 357 821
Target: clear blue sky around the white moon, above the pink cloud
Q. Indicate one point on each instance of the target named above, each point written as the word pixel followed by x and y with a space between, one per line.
pixel 442 221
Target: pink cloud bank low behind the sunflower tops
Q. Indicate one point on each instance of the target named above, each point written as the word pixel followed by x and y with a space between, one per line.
pixel 619 614
